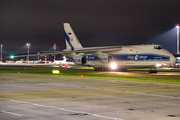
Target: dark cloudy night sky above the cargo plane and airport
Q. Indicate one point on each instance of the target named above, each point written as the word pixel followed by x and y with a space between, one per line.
pixel 95 22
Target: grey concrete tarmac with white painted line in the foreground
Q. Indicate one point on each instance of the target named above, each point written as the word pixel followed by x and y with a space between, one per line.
pixel 32 97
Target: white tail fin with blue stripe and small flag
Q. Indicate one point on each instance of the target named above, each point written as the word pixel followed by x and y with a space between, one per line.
pixel 72 41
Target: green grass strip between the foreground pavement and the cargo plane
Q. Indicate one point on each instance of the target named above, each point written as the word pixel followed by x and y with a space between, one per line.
pixel 169 79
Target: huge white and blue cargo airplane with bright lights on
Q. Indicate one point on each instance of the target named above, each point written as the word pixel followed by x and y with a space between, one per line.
pixel 107 58
